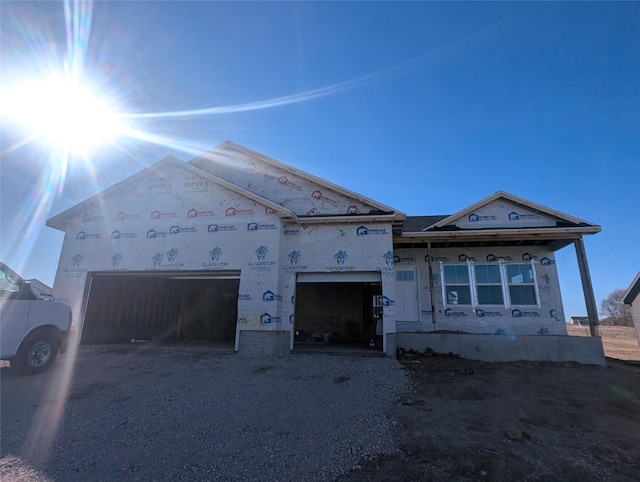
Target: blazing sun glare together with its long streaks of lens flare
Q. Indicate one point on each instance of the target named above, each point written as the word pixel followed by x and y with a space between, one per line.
pixel 58 107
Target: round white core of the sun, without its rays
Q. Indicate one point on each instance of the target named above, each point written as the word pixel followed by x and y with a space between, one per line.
pixel 61 111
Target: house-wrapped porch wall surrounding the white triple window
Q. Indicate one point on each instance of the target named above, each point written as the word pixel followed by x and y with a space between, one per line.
pixel 547 317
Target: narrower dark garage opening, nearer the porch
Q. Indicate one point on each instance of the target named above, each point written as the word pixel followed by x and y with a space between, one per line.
pixel 340 309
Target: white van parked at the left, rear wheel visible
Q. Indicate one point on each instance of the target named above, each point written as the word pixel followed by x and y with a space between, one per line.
pixel 32 330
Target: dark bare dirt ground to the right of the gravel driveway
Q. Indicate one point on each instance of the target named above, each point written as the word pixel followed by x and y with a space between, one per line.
pixel 468 420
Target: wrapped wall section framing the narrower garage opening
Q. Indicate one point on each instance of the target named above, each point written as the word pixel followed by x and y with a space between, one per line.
pixel 336 248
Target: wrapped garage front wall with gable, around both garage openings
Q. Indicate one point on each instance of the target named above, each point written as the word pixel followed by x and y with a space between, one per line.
pixel 177 221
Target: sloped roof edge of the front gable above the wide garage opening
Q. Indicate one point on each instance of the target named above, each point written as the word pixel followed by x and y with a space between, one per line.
pixel 59 221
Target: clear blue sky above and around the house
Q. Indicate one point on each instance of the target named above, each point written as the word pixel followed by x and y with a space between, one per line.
pixel 426 107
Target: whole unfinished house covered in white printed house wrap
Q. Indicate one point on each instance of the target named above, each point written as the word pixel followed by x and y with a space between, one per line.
pixel 237 248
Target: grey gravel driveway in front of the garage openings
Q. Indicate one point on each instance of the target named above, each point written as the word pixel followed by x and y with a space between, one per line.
pixel 157 413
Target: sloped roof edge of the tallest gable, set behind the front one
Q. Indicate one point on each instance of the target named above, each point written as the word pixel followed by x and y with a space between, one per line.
pixel 229 146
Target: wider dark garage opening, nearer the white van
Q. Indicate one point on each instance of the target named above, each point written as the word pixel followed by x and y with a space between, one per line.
pixel 161 307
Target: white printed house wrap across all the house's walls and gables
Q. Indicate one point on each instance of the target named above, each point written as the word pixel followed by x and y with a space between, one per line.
pixel 176 218
